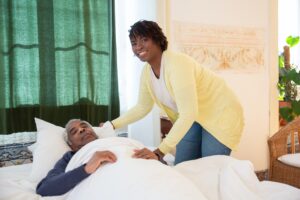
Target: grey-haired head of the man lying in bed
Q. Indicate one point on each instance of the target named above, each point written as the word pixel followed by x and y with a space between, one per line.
pixel 79 134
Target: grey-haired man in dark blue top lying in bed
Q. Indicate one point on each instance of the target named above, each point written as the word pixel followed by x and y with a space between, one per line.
pixel 57 181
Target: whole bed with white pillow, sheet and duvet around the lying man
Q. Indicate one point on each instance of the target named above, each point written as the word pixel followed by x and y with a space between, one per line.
pixel 210 178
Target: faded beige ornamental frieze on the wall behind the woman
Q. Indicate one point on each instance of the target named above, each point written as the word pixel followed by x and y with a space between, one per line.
pixel 221 48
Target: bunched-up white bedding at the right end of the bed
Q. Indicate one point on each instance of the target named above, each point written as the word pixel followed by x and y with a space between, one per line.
pixel 227 178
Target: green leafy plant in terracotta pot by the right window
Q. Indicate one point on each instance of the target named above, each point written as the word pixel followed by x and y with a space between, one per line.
pixel 289 83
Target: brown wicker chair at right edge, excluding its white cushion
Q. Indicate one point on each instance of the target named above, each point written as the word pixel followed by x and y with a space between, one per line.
pixel 282 143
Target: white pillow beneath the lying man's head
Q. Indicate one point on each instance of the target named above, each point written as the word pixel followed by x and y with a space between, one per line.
pixel 50 146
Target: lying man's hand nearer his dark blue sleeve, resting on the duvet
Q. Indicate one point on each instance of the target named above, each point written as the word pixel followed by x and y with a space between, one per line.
pixel 98 159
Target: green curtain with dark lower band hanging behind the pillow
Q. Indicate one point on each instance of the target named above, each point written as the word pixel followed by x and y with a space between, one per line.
pixel 58 61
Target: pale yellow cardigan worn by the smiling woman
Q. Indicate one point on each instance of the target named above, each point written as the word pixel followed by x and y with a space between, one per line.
pixel 200 96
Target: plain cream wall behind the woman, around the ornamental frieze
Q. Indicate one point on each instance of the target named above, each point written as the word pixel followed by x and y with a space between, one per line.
pixel 255 89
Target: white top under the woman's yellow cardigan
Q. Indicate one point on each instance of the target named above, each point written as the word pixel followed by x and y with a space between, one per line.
pixel 160 90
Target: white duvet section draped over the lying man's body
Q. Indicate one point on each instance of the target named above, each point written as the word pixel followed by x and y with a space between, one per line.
pixel 129 178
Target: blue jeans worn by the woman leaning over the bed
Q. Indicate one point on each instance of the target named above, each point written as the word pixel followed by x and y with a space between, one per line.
pixel 198 143
